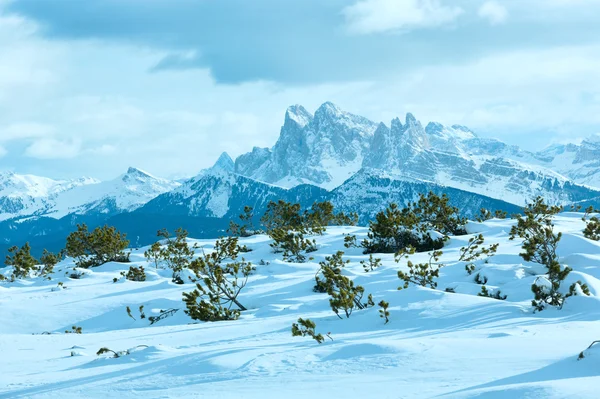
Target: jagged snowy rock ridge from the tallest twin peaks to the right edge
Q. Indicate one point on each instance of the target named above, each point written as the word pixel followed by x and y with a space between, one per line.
pixel 332 146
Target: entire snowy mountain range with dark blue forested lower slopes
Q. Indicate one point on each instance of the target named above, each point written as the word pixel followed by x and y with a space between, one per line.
pixel 356 163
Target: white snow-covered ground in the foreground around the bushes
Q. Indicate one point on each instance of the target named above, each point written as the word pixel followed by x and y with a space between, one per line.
pixel 437 344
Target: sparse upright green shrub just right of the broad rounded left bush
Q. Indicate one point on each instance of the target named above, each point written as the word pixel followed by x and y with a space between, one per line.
pixel 175 253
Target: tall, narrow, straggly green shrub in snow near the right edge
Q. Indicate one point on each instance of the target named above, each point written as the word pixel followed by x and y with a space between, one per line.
pixel 539 244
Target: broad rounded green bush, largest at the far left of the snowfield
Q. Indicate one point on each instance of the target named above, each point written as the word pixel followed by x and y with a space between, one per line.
pixel 91 249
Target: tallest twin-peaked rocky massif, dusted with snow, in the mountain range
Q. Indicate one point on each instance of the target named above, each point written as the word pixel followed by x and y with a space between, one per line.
pixel 324 149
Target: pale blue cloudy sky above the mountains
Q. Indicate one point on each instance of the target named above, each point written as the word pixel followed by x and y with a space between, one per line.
pixel 89 88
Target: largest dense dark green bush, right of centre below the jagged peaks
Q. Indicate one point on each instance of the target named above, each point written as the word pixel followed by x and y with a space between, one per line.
pixel 395 228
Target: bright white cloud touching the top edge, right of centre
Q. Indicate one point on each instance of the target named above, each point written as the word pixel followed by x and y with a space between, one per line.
pixel 378 16
